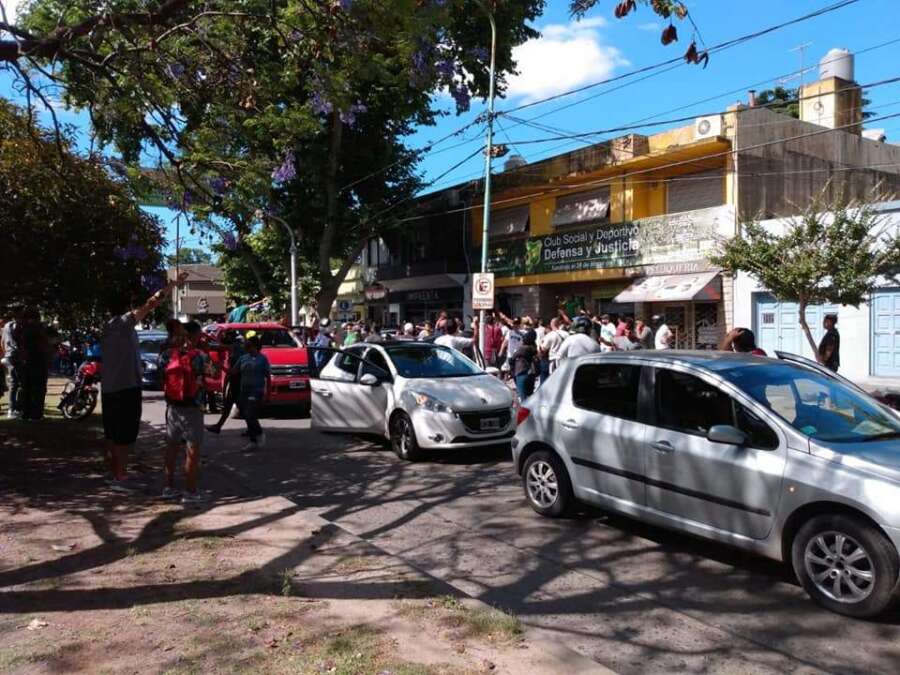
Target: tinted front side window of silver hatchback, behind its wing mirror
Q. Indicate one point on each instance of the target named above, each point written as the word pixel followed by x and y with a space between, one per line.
pixel 688 404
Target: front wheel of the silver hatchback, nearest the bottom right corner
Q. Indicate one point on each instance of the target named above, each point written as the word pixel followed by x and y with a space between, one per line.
pixel 846 565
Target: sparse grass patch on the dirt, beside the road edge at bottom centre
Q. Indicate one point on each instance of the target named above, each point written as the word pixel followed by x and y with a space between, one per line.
pixel 468 622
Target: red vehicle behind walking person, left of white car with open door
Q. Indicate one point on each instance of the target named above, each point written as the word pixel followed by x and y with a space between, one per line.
pixel 287 357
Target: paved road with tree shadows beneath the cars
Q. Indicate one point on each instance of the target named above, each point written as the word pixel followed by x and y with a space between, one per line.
pixel 632 597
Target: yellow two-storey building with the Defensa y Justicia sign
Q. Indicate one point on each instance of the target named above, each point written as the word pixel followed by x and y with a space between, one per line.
pixel 623 227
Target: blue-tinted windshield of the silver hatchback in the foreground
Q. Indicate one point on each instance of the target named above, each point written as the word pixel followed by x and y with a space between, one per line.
pixel 814 404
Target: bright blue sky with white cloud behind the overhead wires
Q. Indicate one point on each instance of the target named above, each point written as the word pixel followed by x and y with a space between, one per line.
pixel 571 54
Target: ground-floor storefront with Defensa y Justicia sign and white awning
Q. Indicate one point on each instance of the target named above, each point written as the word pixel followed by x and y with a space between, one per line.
pixel 640 268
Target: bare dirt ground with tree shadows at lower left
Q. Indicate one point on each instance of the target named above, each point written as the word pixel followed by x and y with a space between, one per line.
pixel 92 581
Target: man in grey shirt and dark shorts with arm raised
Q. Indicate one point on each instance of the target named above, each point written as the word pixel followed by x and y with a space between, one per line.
pixel 121 390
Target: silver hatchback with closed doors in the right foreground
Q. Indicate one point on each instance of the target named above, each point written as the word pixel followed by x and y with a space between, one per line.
pixel 767 455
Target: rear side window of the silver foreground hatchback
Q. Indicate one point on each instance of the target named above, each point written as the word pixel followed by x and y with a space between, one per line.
pixel 609 388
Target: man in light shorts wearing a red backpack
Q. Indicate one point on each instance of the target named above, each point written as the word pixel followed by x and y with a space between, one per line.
pixel 184 420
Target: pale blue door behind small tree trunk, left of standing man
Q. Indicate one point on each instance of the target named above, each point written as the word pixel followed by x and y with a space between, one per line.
pixel 778 324
